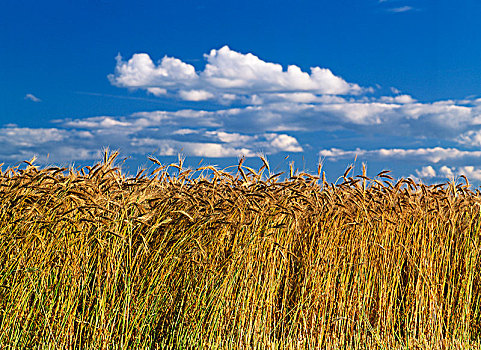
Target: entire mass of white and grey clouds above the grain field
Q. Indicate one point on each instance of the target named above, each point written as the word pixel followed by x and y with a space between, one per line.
pixel 242 105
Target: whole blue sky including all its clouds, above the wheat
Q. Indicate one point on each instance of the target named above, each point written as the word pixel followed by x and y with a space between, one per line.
pixel 395 83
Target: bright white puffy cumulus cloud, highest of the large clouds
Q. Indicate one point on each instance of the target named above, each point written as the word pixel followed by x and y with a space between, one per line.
pixel 227 75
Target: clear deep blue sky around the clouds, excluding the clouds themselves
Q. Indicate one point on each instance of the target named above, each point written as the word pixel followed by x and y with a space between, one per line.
pixel 62 51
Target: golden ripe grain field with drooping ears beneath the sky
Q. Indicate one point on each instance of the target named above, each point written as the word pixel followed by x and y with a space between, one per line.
pixel 91 259
